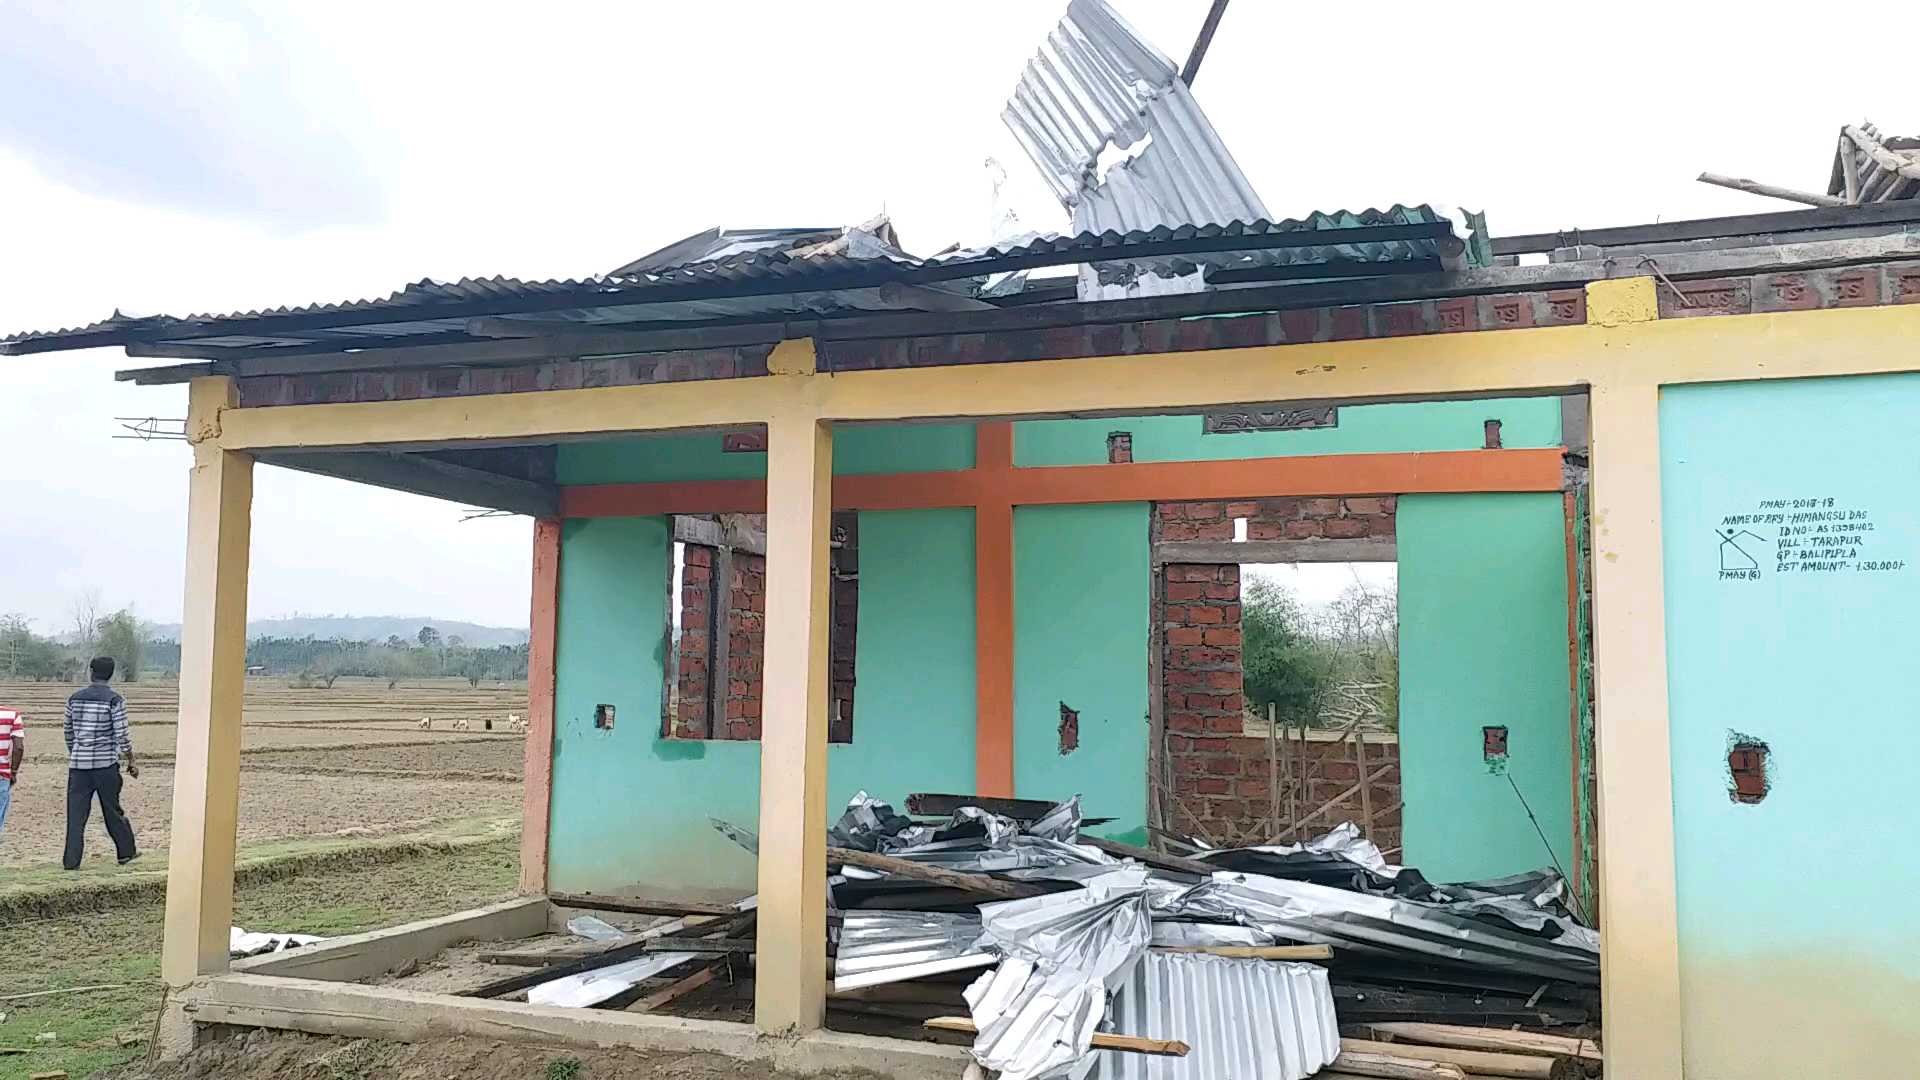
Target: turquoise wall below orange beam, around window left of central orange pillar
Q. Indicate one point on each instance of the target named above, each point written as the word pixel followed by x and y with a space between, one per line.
pixel 633 810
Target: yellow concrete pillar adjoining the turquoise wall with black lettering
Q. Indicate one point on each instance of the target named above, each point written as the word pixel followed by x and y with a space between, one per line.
pixel 1641 954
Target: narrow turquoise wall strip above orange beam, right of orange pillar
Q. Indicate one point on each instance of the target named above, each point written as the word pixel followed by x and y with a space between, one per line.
pixel 1364 430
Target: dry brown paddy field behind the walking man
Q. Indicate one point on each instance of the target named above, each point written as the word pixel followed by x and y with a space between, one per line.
pixel 318 764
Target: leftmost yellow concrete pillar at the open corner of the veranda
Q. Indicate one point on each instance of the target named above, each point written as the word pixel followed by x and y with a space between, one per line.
pixel 206 772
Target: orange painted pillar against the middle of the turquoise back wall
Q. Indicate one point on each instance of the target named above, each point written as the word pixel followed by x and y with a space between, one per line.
pixel 994 616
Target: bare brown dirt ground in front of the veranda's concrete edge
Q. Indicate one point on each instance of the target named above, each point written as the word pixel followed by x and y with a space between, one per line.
pixel 262 1056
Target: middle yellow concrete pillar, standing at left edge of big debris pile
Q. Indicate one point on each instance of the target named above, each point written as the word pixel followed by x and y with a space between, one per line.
pixel 790 954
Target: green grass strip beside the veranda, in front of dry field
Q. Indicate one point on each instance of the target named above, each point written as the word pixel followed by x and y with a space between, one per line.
pixel 122 946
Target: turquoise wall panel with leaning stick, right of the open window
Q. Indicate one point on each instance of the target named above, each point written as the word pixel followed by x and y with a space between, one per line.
pixel 1483 641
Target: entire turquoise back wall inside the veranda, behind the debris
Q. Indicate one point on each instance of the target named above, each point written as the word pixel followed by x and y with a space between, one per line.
pixel 1082 631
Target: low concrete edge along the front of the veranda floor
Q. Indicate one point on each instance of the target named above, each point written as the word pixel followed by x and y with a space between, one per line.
pixel 404 1016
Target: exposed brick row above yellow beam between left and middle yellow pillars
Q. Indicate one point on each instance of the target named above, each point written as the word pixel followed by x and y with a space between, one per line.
pixel 521 380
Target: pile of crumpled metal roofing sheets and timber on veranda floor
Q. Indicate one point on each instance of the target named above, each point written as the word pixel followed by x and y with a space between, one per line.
pixel 1068 956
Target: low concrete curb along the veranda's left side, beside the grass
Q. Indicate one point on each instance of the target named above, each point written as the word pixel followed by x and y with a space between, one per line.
pixel 362 956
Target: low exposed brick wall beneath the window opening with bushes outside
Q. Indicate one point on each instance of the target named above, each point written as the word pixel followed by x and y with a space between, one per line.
pixel 1224 787
